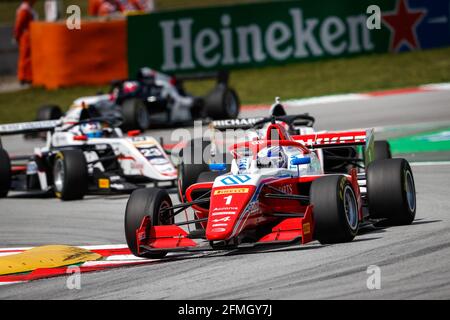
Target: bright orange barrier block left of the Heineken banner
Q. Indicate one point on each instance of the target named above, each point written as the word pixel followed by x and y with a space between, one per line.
pixel 94 55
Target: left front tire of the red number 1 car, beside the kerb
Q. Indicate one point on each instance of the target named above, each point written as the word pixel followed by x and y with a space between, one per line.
pixel 142 203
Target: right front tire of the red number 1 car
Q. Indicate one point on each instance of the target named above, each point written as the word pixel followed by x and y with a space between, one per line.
pixel 335 209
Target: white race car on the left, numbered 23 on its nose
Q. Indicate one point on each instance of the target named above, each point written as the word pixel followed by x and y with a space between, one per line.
pixel 85 152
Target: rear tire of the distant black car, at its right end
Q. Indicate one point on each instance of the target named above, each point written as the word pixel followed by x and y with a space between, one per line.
pixel 222 103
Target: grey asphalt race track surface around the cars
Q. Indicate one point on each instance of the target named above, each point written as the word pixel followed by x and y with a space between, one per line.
pixel 414 260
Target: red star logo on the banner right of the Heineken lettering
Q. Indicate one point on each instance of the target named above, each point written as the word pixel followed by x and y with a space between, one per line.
pixel 403 22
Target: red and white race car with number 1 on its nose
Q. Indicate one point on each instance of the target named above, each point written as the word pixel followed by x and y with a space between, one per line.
pixel 276 193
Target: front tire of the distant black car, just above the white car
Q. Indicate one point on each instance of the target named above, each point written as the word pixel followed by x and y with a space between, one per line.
pixel 135 115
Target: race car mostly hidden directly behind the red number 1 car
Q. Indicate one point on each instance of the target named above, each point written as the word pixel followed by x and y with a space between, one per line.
pixel 335 157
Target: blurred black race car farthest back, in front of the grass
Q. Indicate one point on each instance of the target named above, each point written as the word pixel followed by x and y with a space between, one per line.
pixel 156 99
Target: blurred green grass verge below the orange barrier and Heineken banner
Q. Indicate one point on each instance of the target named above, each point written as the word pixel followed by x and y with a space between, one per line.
pixel 254 86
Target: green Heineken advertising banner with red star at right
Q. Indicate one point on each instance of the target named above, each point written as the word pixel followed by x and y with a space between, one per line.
pixel 280 32
